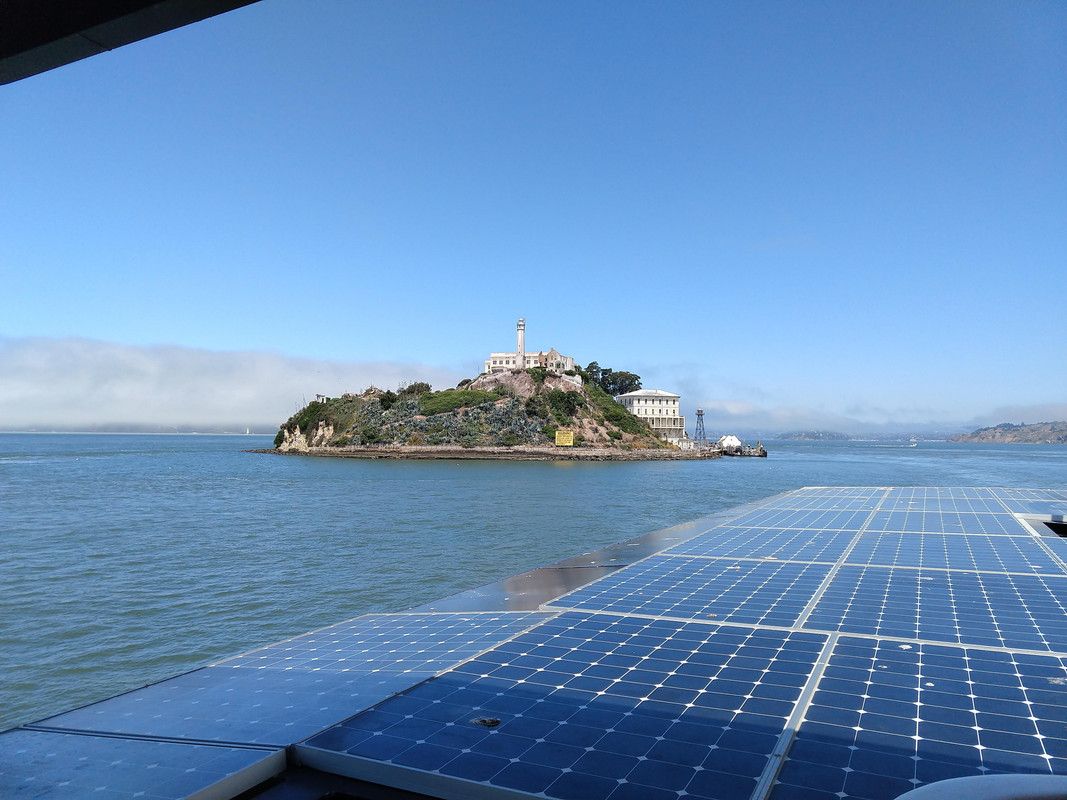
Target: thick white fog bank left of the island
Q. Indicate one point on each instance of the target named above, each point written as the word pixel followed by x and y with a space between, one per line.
pixel 82 385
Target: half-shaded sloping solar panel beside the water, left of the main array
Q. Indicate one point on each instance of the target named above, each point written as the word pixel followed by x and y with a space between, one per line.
pixel 291 691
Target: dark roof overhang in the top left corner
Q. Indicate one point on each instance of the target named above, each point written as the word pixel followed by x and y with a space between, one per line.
pixel 38 36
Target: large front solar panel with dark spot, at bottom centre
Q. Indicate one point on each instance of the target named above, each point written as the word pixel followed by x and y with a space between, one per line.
pixel 636 712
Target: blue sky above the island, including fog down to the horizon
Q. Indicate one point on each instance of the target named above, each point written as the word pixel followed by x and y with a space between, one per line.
pixel 831 215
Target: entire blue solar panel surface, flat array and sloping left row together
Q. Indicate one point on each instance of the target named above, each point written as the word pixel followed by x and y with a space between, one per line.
pixel 833 643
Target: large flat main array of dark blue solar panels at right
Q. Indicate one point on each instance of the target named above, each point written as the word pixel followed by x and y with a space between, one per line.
pixel 834 644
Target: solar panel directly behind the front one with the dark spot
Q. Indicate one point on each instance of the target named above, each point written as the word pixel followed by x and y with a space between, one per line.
pixel 727 590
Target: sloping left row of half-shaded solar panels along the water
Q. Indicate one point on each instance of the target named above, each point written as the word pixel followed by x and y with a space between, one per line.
pixel 231 723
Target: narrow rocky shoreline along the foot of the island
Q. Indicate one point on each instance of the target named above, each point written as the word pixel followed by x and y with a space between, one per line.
pixel 497 454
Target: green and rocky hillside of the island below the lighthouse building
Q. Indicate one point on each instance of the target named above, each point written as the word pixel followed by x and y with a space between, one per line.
pixel 501 410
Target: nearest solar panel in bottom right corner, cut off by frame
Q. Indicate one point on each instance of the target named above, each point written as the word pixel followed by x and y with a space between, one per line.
pixel 888 717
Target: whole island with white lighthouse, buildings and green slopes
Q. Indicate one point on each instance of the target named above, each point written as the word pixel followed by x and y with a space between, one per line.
pixel 524 406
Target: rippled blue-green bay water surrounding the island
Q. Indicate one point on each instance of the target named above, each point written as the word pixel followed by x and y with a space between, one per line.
pixel 126 559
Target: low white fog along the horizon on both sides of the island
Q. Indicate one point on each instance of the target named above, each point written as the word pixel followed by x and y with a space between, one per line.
pixel 76 385
